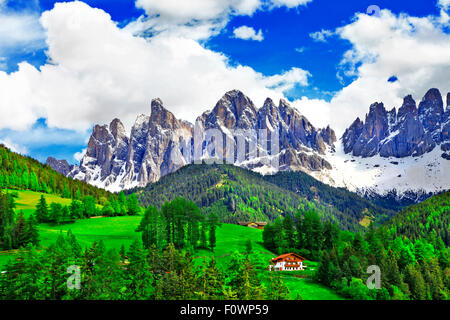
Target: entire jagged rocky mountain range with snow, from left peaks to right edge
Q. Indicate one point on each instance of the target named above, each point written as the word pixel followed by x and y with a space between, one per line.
pixel 394 158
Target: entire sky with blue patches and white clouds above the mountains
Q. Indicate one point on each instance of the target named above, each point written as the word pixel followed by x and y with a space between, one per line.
pixel 66 66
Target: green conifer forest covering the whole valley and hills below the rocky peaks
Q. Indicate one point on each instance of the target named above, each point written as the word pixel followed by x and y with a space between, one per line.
pixel 173 254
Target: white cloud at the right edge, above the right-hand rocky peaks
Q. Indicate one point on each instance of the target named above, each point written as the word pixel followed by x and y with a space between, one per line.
pixel 415 50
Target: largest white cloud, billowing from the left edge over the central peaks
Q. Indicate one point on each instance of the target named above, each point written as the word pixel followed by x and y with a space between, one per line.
pixel 99 71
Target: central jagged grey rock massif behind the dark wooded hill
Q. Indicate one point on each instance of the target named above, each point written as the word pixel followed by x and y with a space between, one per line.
pixel 267 140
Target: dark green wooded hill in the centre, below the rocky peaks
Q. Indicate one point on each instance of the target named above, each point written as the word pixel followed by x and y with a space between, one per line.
pixel 238 194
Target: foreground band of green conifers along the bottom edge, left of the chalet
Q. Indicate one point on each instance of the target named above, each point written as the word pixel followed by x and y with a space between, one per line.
pixel 133 274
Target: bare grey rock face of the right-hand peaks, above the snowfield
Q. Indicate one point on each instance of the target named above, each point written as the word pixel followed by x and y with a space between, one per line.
pixel 413 131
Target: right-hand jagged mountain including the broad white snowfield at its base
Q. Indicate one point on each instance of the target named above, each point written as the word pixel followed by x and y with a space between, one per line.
pixel 400 156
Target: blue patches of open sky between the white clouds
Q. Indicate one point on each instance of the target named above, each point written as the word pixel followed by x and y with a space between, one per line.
pixel 287 43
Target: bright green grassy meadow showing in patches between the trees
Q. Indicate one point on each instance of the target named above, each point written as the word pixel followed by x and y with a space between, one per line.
pixel 119 231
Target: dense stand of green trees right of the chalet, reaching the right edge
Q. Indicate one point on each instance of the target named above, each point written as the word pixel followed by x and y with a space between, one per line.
pixel 410 269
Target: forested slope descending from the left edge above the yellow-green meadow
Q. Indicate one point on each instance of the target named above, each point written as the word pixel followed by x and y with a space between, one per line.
pixel 25 173
